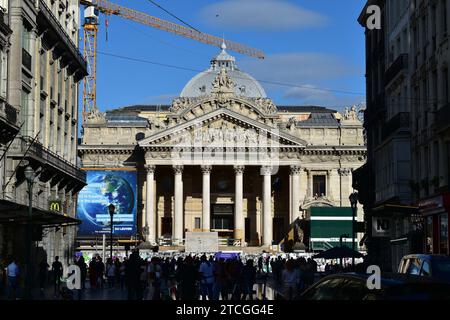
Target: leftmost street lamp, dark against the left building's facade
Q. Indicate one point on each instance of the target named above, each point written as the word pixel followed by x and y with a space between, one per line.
pixel 29 176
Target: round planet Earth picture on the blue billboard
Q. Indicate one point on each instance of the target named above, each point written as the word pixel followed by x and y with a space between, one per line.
pixel 102 190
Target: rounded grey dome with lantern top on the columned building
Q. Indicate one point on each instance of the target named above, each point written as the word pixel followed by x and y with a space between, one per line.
pixel 201 84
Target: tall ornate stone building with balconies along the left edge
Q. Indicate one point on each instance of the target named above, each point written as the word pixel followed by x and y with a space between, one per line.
pixel 40 83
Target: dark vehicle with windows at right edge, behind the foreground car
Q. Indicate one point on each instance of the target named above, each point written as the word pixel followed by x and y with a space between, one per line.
pixel 426 265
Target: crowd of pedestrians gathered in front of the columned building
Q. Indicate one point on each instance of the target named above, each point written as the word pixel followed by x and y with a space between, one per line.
pixel 179 276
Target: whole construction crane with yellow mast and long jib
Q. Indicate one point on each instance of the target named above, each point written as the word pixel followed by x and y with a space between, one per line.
pixel 91 14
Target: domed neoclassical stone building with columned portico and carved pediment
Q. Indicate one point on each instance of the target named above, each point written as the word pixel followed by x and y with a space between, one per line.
pixel 224 157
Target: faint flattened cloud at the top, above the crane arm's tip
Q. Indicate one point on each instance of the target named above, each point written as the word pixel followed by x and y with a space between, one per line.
pixel 274 15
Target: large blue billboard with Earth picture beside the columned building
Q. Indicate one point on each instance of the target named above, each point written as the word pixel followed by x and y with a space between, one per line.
pixel 105 187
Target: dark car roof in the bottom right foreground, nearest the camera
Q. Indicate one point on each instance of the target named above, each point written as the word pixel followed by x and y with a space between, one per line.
pixel 353 286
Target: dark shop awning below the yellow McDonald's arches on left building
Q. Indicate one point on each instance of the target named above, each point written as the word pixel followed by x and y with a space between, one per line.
pixel 15 213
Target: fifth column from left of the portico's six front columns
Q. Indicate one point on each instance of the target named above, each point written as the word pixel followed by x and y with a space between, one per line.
pixel 266 171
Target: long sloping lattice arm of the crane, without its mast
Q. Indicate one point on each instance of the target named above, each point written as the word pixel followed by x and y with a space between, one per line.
pixel 108 7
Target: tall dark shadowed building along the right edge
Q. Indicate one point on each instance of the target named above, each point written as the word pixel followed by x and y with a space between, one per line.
pixel 405 121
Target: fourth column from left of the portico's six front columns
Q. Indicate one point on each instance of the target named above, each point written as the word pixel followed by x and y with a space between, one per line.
pixel 239 222
